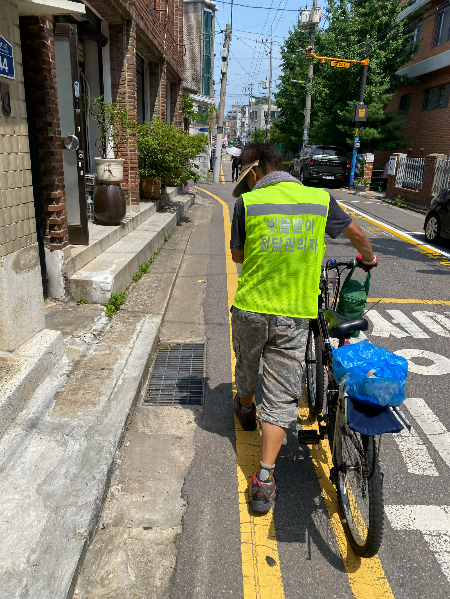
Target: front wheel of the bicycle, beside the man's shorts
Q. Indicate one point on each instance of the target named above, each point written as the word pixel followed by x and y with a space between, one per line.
pixel 316 373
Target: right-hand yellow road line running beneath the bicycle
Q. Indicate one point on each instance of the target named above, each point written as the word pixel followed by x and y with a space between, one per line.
pixel 366 576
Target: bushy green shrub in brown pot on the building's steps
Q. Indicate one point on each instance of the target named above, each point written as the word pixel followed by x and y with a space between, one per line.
pixel 166 153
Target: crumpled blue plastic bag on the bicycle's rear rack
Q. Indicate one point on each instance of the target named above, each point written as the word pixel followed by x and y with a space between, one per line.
pixel 374 375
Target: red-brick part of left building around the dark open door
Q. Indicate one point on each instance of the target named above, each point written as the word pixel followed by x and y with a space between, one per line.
pixel 128 51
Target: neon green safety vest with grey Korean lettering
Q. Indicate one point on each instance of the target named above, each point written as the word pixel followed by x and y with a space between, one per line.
pixel 283 251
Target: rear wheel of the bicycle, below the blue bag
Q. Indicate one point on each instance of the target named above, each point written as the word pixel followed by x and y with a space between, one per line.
pixel 359 486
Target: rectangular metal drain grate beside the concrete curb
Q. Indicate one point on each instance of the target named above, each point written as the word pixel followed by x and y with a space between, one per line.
pixel 177 376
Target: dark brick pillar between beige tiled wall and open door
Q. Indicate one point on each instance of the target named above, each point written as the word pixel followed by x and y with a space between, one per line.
pixel 43 117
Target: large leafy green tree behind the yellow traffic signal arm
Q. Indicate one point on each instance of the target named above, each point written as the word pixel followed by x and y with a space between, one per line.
pixel 349 23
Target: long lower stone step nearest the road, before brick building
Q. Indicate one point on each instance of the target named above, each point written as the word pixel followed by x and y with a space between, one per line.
pixel 112 270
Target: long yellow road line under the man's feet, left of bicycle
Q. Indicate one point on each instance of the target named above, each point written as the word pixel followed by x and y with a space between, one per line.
pixel 258 537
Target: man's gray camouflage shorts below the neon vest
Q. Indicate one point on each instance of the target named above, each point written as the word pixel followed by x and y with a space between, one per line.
pixel 281 342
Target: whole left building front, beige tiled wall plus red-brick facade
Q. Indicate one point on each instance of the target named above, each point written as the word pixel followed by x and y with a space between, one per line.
pixel 53 55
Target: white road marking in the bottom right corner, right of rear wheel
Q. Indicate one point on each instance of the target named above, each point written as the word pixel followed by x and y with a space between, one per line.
pixel 431 520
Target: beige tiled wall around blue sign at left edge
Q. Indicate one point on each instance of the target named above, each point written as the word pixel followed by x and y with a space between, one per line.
pixel 17 221
